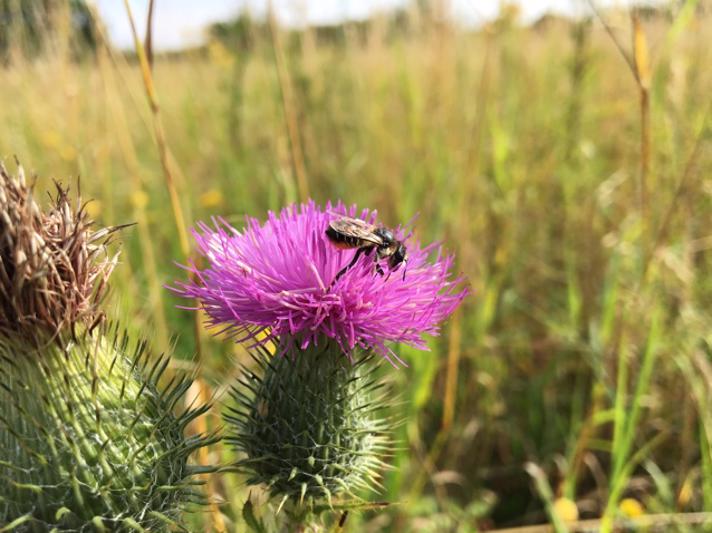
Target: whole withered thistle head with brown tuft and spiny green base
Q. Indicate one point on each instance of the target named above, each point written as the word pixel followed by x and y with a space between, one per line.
pixel 88 437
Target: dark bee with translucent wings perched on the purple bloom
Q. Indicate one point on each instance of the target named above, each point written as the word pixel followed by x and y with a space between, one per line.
pixel 347 232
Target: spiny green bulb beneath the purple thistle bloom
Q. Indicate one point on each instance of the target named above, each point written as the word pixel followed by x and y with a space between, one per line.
pixel 310 424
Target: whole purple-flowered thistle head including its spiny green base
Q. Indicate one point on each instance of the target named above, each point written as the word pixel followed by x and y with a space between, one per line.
pixel 309 421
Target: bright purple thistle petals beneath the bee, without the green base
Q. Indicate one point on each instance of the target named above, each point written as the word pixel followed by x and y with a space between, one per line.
pixel 273 282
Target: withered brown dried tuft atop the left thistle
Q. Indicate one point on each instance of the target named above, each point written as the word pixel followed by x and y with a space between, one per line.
pixel 53 265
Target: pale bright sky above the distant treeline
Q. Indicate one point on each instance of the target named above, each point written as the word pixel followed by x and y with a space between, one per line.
pixel 179 23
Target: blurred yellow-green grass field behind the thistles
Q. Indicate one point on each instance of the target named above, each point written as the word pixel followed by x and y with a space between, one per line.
pixel 573 184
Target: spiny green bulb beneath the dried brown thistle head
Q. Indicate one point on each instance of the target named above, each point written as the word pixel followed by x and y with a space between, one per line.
pixel 88 438
